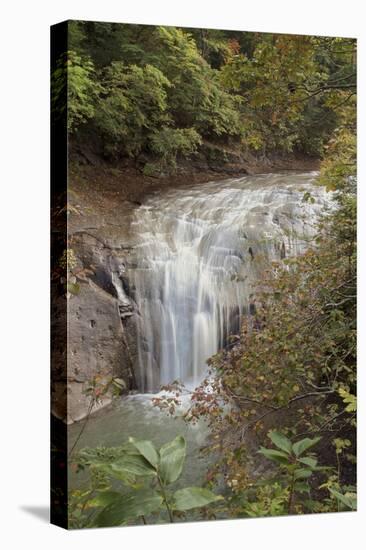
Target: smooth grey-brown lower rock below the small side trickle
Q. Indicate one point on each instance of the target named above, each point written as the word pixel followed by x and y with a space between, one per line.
pixel 96 346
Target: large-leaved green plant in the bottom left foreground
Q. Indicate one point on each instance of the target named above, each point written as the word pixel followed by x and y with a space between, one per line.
pixel 144 476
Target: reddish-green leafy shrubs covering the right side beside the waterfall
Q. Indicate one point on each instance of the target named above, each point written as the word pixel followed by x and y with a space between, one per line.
pixel 293 368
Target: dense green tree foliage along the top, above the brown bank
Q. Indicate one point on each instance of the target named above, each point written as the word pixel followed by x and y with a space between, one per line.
pixel 137 88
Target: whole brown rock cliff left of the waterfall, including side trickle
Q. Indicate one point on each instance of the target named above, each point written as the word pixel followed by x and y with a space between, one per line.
pixel 100 339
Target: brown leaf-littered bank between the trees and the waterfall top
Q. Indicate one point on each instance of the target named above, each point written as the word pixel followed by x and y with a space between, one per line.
pixel 104 180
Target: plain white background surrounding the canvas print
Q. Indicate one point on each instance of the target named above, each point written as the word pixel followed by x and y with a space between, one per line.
pixel 24 387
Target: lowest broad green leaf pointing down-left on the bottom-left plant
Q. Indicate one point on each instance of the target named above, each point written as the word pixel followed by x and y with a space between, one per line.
pixel 138 503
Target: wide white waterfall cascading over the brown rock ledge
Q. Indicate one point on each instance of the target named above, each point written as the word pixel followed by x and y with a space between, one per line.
pixel 199 253
